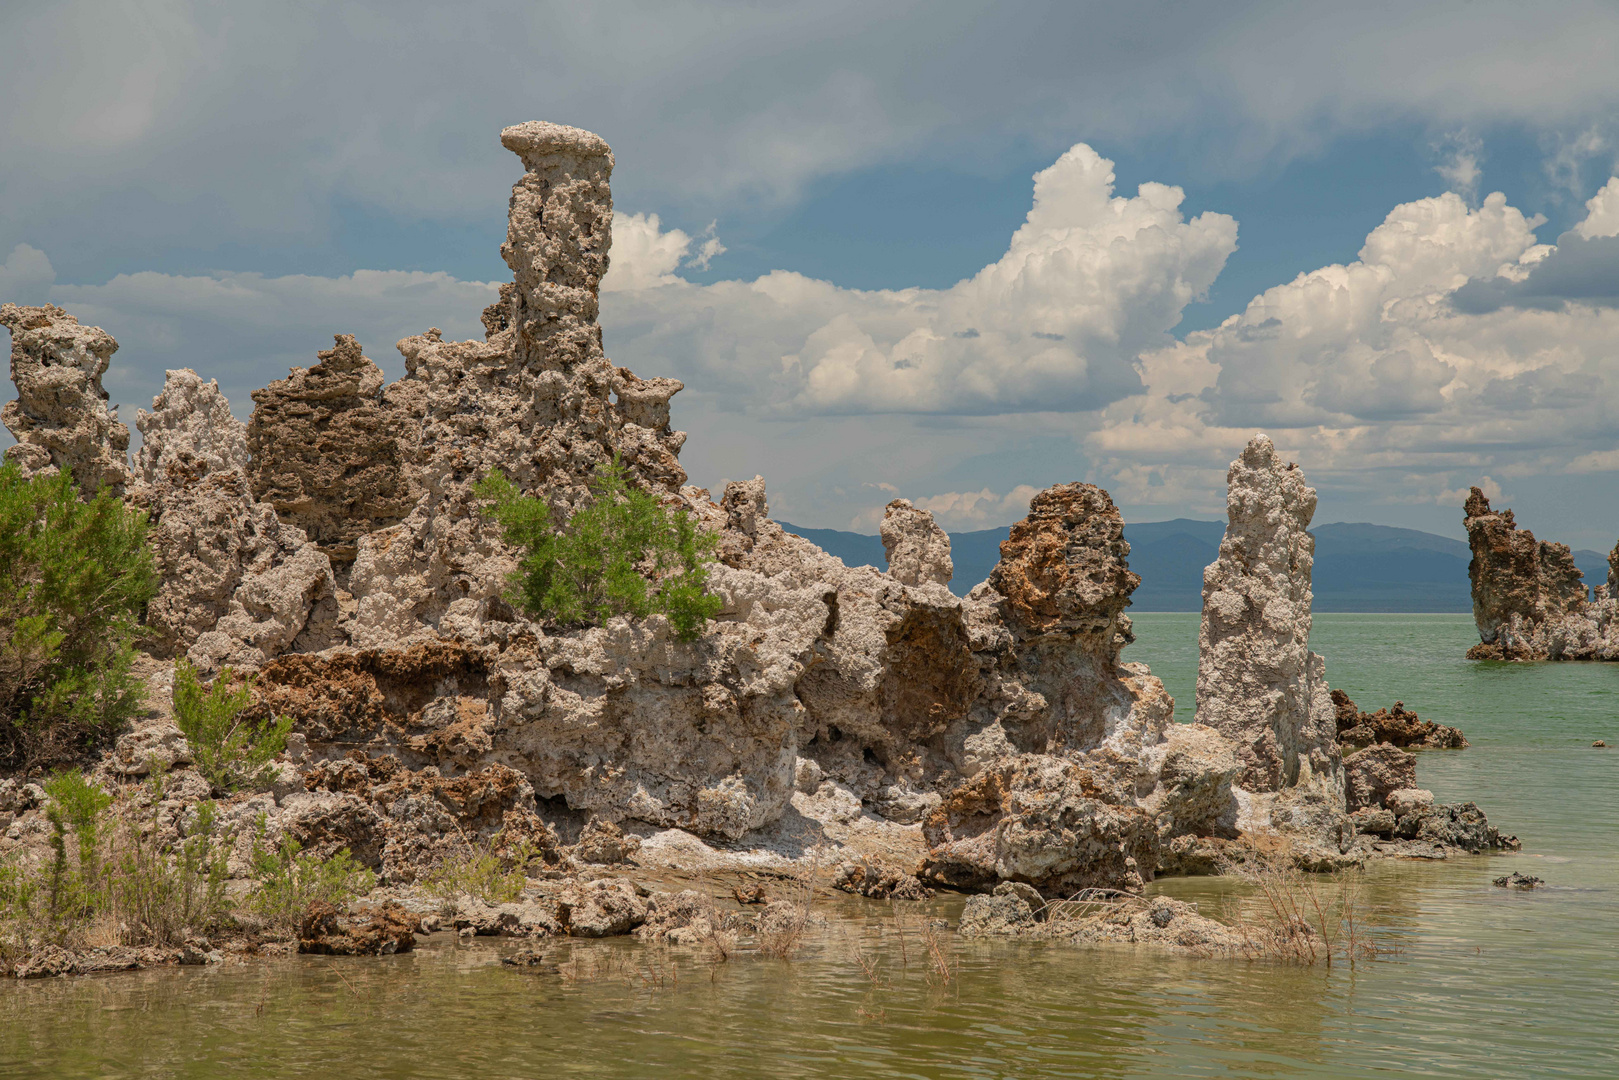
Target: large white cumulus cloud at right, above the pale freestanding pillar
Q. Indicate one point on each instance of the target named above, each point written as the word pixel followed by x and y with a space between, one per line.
pixel 1393 373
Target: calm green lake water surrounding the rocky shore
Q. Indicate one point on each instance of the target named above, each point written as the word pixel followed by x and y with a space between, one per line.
pixel 1485 982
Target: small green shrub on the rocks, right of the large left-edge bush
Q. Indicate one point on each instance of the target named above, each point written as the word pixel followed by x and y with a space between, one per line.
pixel 231 750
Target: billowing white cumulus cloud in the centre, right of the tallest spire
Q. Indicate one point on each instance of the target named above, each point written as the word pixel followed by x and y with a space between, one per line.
pixel 1089 283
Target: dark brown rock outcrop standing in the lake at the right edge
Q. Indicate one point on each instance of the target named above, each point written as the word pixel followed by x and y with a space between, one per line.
pixel 1529 598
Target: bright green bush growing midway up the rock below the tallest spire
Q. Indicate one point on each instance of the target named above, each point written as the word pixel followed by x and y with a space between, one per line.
pixel 624 555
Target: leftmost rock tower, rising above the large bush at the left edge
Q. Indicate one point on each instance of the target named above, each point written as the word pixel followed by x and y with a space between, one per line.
pixel 61 417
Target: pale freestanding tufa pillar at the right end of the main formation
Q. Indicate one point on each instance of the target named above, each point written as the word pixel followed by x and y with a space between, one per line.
pixel 1259 682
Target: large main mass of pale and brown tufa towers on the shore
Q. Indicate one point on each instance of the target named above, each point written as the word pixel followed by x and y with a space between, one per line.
pixel 334 545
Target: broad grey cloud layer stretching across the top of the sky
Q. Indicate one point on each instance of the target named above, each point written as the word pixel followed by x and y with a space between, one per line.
pixel 198 127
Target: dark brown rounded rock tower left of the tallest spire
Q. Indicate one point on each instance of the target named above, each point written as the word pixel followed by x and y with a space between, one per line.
pixel 326 451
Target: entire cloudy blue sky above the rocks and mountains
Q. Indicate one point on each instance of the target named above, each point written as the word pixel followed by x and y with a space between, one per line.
pixel 950 252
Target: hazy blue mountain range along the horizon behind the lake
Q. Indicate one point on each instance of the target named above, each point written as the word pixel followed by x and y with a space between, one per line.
pixel 1359 568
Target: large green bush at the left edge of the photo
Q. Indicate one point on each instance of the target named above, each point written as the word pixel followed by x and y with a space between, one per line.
pixel 74 580
